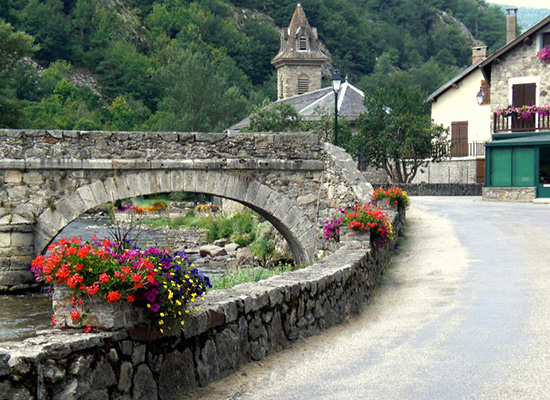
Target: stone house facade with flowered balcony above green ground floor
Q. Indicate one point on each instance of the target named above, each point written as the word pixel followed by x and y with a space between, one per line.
pixel 518 156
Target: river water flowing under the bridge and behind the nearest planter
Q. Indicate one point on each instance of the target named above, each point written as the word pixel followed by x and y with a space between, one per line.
pixel 22 315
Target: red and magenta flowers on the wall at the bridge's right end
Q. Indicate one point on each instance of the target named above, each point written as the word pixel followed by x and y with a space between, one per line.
pixel 364 218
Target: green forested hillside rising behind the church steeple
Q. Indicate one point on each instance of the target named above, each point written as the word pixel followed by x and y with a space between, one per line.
pixel 202 65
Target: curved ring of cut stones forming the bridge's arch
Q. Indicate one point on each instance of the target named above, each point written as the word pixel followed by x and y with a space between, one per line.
pixel 282 213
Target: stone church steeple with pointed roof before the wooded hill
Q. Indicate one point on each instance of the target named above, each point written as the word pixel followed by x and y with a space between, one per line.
pixel 299 60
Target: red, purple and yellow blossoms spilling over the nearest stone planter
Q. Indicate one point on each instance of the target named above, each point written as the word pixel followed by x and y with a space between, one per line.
pixel 164 283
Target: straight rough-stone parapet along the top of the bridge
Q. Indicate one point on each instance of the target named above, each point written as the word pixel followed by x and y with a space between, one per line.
pixel 63 146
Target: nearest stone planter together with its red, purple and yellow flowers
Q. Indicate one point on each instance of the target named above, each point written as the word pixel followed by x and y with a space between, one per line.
pixel 103 285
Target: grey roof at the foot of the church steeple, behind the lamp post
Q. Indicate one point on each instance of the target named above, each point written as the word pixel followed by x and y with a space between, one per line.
pixel 350 104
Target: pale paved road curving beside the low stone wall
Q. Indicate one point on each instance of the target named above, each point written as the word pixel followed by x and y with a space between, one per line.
pixel 463 313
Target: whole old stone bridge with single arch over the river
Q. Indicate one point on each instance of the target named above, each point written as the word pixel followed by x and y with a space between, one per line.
pixel 49 178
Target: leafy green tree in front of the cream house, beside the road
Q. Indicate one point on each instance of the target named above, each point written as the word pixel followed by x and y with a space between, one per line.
pixel 397 133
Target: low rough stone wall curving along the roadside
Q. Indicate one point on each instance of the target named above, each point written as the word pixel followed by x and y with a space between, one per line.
pixel 235 326
